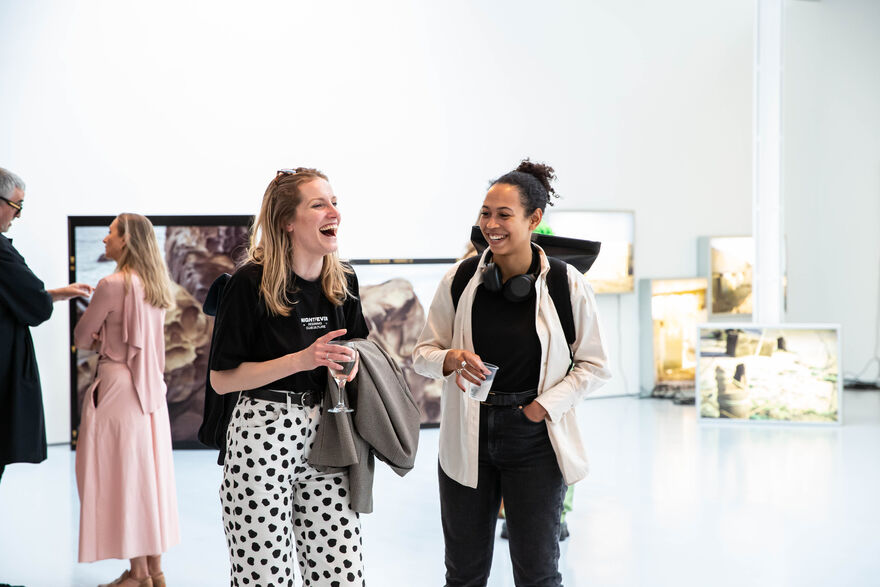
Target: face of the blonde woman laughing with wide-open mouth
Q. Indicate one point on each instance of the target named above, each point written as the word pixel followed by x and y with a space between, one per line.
pixel 315 222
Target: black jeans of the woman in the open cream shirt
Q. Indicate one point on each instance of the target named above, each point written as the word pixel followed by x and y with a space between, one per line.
pixel 516 461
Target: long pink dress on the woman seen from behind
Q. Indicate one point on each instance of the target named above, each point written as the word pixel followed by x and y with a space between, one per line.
pixel 124 464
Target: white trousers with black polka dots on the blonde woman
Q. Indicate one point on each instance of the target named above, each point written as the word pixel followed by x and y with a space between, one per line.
pixel 275 504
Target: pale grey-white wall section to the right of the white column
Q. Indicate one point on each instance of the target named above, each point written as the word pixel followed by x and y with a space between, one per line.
pixel 831 170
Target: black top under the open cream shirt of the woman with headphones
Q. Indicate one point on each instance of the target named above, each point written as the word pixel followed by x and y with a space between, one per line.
pixel 504 334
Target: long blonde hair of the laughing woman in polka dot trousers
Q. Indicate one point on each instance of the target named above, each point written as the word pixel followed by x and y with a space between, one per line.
pixel 271 246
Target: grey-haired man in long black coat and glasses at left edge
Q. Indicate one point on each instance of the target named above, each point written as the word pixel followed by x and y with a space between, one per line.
pixel 24 302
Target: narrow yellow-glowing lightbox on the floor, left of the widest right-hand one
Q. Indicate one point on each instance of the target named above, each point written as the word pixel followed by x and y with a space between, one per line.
pixel 669 311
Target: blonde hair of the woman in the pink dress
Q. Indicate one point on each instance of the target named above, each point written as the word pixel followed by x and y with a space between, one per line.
pixel 141 255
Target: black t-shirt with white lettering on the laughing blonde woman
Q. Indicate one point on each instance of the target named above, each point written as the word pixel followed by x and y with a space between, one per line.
pixel 246 332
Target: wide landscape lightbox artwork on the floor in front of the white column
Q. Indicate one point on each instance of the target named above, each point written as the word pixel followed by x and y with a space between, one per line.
pixel 776 373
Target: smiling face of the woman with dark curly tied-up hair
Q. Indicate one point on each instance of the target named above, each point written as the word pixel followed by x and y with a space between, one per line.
pixel 504 222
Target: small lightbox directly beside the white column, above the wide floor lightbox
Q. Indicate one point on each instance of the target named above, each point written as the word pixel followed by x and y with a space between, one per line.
pixel 728 262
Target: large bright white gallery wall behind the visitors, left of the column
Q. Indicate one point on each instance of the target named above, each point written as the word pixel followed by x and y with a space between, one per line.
pixel 190 107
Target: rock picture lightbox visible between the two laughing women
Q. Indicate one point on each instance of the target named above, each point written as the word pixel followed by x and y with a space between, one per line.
pixel 396 295
